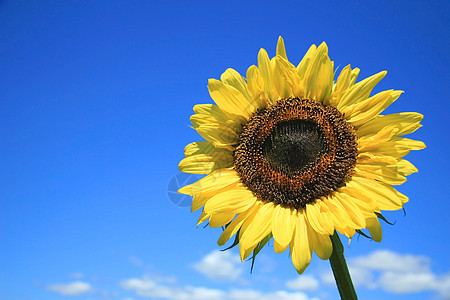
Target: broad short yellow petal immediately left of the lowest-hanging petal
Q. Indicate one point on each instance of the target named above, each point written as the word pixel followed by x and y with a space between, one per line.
pixel 283 223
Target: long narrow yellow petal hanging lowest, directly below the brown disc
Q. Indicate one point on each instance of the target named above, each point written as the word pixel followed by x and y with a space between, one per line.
pixel 300 245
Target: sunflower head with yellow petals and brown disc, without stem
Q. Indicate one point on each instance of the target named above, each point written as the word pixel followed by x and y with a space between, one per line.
pixel 294 155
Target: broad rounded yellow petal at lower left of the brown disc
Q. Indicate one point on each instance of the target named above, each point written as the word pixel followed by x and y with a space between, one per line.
pixel 236 200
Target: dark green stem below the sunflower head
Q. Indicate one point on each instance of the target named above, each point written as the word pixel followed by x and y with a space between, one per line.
pixel 340 270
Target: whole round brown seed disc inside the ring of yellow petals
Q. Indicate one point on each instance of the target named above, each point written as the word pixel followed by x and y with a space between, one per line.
pixel 295 152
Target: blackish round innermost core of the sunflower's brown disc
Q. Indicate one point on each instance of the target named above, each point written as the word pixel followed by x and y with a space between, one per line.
pixel 294 146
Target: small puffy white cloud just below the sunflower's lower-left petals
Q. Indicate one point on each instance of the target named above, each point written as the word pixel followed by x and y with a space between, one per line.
pixel 220 265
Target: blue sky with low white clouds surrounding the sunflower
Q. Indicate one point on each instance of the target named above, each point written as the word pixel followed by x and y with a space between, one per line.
pixel 95 99
